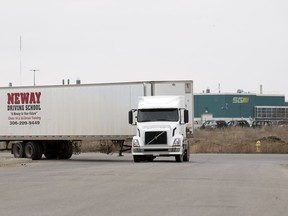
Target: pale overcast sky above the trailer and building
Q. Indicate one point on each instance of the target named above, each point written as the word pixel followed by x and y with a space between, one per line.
pixel 237 44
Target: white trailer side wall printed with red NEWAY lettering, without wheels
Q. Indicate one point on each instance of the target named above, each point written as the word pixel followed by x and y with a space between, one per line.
pixel 65 111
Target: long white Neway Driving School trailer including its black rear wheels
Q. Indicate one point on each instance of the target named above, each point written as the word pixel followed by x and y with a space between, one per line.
pixel 49 120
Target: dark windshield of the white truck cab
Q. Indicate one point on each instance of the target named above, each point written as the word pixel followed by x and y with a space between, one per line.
pixel 148 115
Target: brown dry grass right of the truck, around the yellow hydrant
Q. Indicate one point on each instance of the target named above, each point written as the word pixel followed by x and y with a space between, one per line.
pixel 240 140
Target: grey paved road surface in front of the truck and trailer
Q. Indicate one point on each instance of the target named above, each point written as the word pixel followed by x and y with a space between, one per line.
pixel 98 184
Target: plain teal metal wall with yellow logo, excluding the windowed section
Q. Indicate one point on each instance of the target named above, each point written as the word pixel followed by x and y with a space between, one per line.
pixel 233 105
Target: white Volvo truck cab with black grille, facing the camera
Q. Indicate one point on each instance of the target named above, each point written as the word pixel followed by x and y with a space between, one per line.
pixel 161 128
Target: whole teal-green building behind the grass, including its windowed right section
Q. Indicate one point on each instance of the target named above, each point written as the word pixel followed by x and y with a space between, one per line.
pixel 240 105
